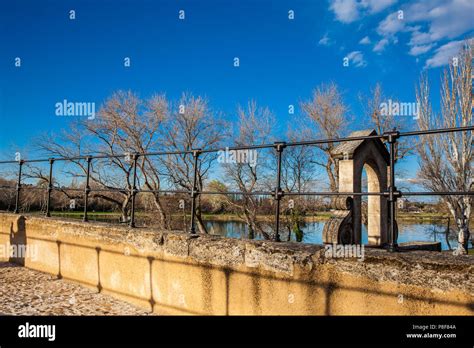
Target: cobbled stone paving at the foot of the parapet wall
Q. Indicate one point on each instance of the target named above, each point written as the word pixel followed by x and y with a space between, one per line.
pixel 27 292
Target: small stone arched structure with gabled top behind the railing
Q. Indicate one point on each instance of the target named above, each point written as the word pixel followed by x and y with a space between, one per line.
pixel 354 157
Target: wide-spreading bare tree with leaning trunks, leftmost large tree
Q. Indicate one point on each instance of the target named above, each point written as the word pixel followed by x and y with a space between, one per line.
pixel 125 124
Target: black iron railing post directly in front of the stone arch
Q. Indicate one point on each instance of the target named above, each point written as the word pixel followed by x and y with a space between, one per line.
pixel 393 193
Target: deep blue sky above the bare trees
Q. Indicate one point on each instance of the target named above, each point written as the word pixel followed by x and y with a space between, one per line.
pixel 281 60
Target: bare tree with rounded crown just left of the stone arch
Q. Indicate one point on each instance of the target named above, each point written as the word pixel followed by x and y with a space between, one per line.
pixel 328 113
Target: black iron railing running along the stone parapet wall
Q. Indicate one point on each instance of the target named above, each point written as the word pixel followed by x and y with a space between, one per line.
pixel 392 193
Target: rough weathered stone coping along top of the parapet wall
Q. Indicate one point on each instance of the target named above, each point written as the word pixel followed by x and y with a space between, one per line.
pixel 414 267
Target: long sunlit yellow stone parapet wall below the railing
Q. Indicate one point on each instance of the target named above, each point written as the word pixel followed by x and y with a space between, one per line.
pixel 177 273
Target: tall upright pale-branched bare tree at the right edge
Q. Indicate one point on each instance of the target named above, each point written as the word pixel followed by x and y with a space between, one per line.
pixel 446 160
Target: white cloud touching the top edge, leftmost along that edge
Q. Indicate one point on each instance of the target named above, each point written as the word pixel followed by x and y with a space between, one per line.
pixel 348 11
